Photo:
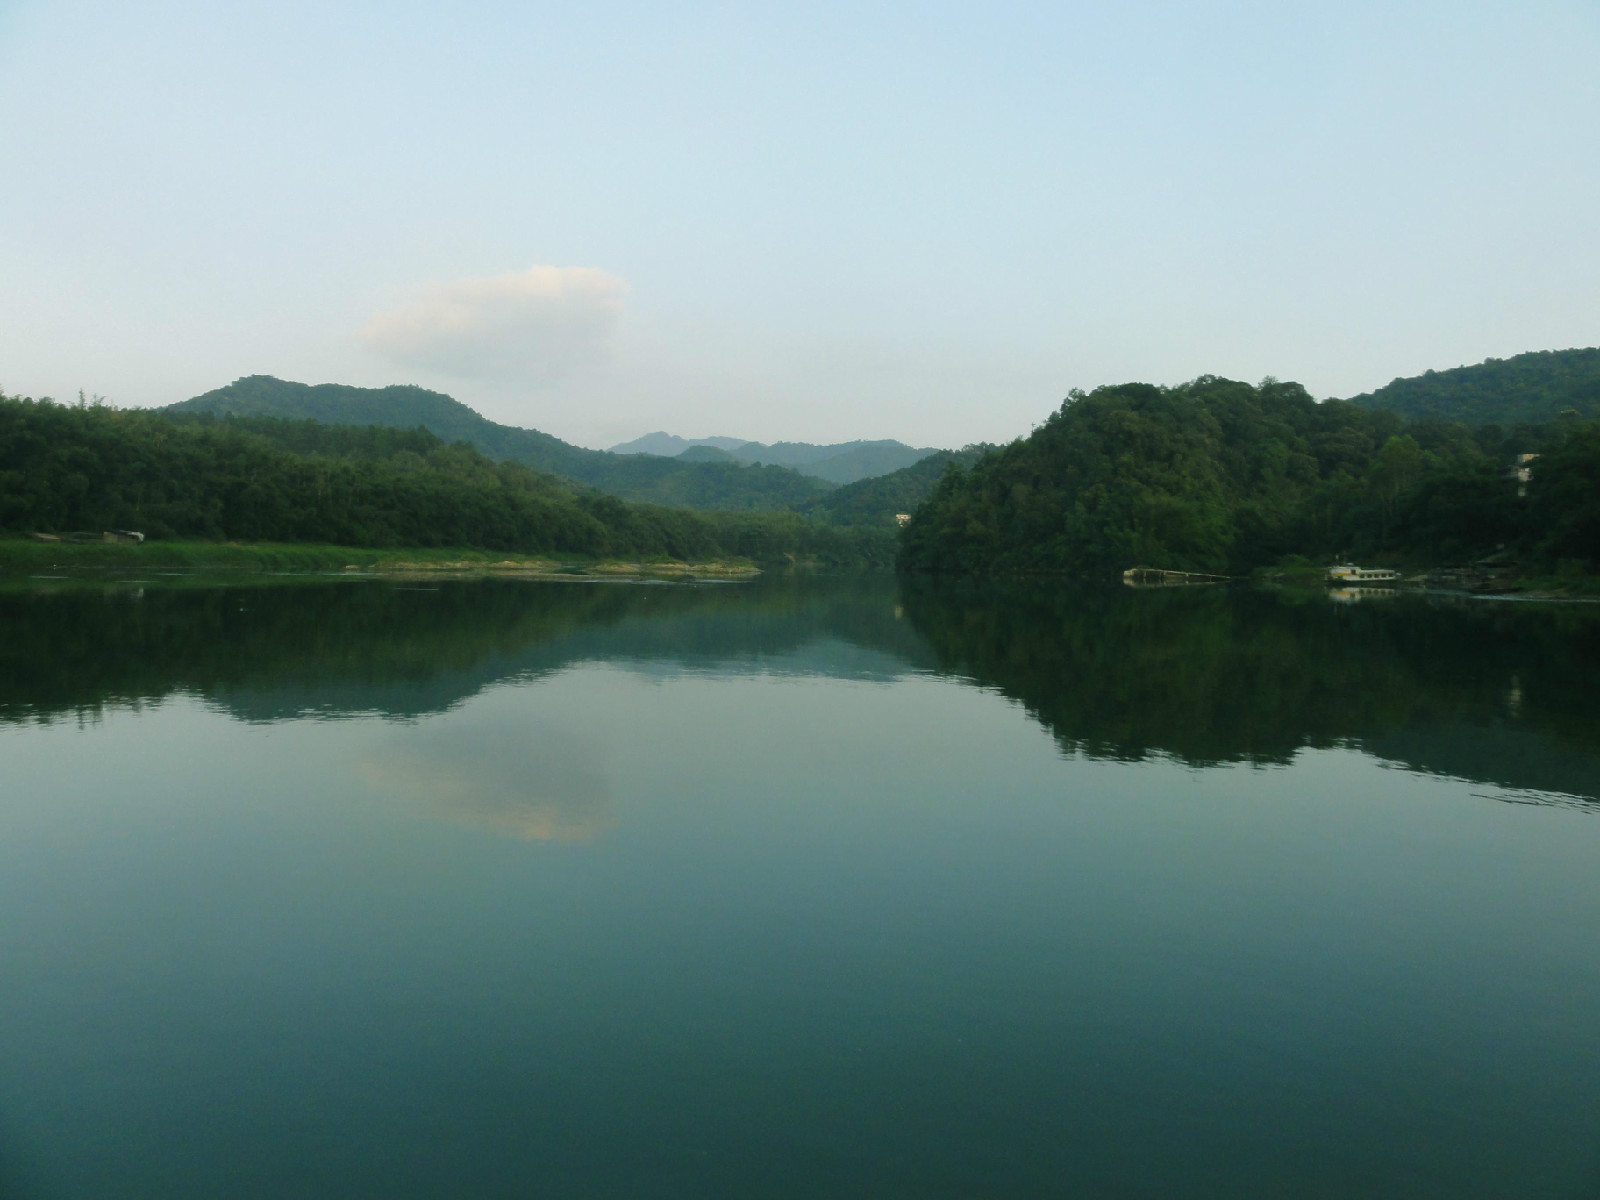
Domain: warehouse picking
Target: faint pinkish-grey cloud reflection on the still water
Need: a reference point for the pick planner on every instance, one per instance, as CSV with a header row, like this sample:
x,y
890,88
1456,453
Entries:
x,y
498,778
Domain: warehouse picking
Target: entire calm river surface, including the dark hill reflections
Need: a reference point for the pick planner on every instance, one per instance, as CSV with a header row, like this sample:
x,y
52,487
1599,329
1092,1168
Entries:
x,y
796,889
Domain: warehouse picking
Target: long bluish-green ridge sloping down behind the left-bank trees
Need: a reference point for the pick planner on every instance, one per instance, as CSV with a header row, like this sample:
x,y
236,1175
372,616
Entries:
x,y
652,481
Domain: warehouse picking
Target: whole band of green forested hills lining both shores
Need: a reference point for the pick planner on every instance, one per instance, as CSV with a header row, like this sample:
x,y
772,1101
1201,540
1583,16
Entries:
x,y
1212,476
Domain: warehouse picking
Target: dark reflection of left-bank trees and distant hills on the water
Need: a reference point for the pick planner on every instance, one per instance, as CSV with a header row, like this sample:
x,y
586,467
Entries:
x,y
346,649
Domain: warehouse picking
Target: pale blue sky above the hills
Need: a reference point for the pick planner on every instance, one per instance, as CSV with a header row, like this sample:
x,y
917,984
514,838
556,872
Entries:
x,y
814,222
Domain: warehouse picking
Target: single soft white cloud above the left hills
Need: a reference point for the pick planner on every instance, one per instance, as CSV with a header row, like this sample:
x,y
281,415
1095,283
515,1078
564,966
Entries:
x,y
532,326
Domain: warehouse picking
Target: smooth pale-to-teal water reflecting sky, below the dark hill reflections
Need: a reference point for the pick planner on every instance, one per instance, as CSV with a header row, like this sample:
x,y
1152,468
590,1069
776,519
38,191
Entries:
x,y
820,927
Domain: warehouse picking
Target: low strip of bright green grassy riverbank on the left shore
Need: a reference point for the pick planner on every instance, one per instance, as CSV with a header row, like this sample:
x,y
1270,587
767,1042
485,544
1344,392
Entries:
x,y
23,558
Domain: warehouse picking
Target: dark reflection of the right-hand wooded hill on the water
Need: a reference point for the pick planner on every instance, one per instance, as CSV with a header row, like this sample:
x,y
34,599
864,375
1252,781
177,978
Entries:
x,y
1495,694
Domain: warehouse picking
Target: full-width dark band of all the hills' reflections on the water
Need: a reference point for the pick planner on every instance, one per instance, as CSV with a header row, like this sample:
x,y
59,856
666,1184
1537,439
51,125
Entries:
x,y
1494,694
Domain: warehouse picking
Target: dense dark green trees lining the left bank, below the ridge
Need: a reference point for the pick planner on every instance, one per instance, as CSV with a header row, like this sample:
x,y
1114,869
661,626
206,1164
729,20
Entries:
x,y
273,479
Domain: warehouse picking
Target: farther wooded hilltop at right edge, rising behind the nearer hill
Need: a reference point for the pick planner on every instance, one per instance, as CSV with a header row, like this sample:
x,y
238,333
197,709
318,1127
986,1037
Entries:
x,y
1526,390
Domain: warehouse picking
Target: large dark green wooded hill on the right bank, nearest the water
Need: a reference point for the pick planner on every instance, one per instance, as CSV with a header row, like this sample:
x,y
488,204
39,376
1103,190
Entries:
x,y
1218,476
